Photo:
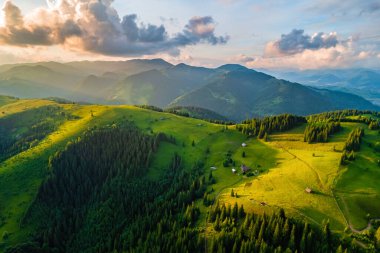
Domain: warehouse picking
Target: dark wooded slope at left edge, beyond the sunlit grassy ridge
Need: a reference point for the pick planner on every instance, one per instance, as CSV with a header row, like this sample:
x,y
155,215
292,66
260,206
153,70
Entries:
x,y
23,130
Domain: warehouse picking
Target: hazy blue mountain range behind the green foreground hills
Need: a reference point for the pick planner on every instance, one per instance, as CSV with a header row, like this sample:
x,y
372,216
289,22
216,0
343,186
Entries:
x,y
231,90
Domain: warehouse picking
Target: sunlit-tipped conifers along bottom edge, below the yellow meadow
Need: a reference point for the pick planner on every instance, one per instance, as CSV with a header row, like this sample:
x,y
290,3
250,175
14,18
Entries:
x,y
239,232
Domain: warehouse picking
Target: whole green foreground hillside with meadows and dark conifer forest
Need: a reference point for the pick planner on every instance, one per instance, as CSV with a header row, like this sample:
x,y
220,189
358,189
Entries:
x,y
192,158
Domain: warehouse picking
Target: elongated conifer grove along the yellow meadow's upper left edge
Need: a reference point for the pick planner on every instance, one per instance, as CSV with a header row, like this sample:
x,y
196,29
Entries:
x,y
268,125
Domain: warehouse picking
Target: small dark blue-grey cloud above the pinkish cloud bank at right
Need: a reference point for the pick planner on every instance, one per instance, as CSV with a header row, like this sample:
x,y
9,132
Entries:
x,y
297,41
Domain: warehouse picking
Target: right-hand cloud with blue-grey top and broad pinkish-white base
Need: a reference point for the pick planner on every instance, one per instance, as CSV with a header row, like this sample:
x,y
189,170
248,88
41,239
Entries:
x,y
297,50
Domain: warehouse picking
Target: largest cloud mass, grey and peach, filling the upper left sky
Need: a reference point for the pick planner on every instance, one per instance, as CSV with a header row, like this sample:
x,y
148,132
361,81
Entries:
x,y
95,26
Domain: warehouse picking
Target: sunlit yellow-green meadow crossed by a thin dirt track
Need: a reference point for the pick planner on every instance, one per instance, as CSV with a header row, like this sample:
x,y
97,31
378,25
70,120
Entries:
x,y
295,165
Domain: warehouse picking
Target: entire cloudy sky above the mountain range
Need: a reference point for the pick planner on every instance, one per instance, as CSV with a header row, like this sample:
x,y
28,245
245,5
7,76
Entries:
x,y
267,34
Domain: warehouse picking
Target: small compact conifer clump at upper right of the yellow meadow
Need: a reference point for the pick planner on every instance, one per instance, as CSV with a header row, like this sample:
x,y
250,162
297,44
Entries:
x,y
320,131
